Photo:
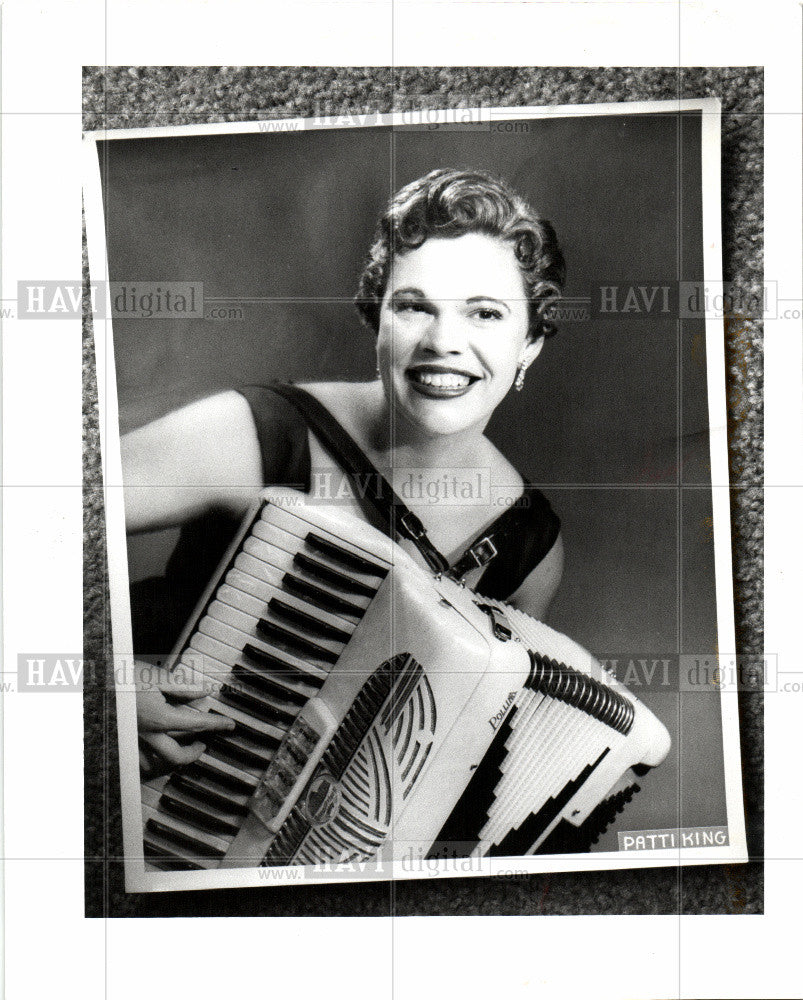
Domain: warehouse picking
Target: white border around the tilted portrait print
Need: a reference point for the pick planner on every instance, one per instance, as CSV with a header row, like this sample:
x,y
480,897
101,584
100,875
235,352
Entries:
x,y
139,880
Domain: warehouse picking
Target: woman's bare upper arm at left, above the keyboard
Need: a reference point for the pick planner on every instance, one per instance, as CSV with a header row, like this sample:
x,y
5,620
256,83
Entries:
x,y
202,456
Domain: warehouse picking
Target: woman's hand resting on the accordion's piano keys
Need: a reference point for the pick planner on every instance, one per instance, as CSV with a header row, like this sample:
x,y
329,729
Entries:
x,y
160,722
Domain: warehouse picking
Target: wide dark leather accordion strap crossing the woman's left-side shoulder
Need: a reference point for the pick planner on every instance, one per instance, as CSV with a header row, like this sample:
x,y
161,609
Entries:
x,y
395,515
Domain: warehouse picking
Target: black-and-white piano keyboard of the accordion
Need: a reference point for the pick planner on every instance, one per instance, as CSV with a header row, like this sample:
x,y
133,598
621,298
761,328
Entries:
x,y
286,607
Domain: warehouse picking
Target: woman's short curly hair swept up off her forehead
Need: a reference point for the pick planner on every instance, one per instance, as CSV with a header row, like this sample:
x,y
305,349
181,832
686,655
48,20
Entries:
x,y
449,203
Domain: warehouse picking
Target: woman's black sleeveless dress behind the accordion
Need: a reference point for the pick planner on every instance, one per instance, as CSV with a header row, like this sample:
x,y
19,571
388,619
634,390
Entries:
x,y
161,606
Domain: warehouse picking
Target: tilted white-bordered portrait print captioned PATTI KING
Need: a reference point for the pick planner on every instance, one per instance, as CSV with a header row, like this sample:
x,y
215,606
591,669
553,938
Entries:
x,y
416,491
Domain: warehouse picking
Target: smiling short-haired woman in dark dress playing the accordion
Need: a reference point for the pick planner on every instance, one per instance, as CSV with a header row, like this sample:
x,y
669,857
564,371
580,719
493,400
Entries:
x,y
459,288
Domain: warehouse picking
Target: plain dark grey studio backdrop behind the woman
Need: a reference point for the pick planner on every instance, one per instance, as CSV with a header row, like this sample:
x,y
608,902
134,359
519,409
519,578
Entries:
x,y
612,421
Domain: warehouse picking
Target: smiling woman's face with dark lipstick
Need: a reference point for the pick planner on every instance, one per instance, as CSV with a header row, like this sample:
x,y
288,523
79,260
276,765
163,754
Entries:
x,y
452,332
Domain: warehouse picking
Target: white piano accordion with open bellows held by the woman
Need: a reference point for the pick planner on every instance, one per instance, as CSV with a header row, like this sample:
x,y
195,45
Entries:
x,y
380,709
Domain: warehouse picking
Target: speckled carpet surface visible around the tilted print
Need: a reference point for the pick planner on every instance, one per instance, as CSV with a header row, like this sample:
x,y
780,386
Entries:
x,y
116,97
